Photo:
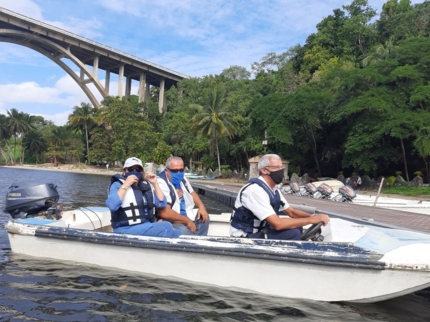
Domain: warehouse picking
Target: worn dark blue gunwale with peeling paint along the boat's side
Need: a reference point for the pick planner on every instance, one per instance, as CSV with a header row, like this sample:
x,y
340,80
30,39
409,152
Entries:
x,y
287,251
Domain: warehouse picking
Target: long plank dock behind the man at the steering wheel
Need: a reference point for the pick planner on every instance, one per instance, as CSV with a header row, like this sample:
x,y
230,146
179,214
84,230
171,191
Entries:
x,y
226,193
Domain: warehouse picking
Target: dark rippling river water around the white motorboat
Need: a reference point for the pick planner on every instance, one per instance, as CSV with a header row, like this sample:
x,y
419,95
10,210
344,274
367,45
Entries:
x,y
41,290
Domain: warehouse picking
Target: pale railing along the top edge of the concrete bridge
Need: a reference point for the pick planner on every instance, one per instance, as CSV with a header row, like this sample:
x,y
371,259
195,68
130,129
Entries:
x,y
93,42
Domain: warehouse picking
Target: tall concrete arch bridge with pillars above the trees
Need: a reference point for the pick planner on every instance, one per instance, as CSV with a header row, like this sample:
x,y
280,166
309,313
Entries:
x,y
58,44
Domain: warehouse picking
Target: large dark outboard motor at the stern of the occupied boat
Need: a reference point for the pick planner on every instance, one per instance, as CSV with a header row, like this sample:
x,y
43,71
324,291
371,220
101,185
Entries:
x,y
30,198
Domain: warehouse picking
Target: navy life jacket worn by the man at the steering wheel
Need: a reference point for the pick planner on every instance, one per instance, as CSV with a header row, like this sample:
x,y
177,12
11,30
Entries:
x,y
243,218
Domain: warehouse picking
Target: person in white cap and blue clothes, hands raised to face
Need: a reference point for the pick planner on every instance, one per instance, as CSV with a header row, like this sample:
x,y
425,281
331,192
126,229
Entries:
x,y
132,202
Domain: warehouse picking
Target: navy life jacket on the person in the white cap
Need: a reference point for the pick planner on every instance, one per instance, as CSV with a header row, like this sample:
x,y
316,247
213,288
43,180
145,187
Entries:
x,y
140,208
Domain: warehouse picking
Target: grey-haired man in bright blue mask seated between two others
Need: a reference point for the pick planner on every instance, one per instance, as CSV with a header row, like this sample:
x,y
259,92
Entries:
x,y
181,199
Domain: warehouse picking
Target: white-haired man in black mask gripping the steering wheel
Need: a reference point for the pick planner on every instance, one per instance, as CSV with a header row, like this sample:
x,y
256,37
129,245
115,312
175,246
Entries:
x,y
255,213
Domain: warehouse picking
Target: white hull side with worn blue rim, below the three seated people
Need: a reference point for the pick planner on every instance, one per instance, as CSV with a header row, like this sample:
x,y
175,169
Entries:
x,y
302,270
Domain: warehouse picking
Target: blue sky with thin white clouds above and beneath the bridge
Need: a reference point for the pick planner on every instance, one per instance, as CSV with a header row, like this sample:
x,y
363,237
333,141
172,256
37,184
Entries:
x,y
193,37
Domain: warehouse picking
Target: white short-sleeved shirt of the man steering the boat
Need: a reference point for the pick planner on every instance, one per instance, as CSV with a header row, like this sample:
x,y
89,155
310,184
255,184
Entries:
x,y
257,200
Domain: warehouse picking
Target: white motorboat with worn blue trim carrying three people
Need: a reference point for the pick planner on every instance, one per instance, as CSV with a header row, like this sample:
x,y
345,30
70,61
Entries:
x,y
355,262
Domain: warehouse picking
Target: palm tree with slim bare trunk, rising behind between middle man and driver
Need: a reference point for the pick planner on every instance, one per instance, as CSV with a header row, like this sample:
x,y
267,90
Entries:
x,y
214,118
